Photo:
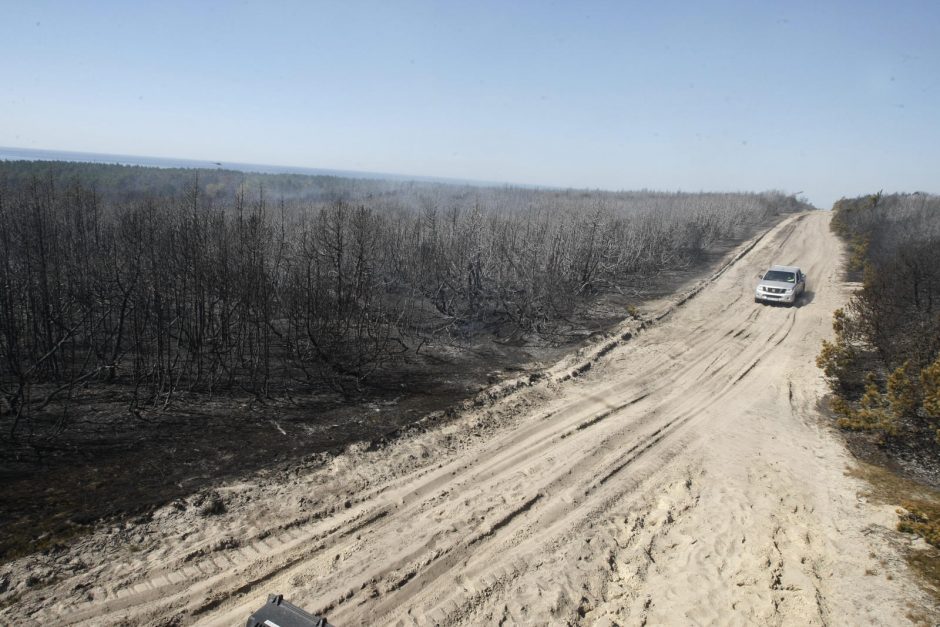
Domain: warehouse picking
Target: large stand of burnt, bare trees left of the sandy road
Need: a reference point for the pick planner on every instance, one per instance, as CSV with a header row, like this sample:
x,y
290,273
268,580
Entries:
x,y
160,281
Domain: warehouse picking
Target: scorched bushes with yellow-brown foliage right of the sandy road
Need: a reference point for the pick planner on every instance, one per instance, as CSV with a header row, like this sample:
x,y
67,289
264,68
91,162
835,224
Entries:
x,y
884,364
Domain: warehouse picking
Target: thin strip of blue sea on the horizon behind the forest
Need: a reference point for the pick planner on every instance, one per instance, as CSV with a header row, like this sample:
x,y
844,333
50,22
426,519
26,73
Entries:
x,y
30,154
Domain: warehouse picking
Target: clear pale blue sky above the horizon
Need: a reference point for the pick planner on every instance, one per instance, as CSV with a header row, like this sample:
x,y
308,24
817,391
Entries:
x,y
827,98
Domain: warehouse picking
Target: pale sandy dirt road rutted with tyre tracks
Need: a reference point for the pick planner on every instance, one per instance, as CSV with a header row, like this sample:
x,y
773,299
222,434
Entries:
x,y
677,472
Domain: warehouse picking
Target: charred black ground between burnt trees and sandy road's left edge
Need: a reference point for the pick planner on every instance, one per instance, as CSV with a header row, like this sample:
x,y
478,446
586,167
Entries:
x,y
119,466
